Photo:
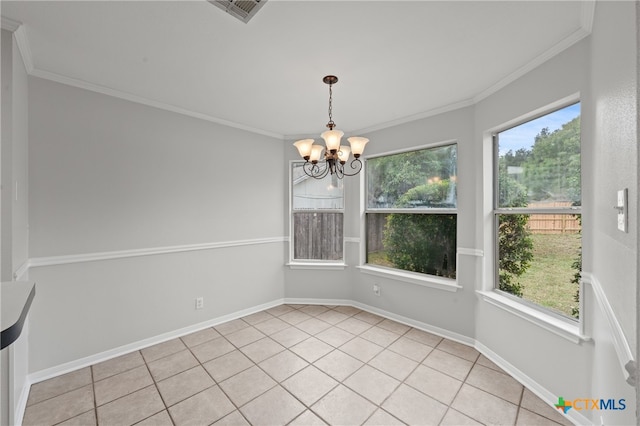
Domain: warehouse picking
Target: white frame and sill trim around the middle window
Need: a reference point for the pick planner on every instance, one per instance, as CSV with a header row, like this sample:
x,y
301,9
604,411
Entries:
x,y
417,278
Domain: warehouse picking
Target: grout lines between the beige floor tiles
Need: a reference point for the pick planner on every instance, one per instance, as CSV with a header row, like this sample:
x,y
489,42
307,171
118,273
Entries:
x,y
317,314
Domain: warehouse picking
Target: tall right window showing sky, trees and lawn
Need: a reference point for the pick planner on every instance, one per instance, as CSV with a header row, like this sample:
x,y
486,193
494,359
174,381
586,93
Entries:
x,y
537,211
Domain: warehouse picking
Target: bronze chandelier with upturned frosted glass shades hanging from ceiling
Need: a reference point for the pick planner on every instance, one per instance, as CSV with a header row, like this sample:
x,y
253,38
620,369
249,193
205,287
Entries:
x,y
335,155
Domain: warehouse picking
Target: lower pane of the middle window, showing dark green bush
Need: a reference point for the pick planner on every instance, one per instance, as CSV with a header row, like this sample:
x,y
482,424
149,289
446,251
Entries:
x,y
424,243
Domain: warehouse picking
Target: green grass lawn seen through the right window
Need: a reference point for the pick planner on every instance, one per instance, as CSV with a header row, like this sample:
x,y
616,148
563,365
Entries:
x,y
548,281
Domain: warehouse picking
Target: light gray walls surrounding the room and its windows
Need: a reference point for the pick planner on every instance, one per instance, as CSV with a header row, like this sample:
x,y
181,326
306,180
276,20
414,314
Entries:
x,y
107,175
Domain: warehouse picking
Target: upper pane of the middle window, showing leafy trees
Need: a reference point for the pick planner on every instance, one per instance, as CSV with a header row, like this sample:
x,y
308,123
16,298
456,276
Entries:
x,y
417,179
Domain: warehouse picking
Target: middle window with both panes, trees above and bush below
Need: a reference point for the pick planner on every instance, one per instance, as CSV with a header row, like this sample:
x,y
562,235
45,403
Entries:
x,y
411,211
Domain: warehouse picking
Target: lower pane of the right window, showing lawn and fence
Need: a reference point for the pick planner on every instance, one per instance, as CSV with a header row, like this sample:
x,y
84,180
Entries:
x,y
540,259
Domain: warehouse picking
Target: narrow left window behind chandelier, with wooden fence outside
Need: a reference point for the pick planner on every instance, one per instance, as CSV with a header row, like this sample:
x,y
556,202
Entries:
x,y
317,216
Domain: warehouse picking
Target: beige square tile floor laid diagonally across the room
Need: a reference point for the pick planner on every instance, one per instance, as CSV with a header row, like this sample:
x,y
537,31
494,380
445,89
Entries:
x,y
293,365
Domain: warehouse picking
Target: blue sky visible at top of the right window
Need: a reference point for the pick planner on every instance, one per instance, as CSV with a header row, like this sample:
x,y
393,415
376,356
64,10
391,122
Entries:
x,y
523,136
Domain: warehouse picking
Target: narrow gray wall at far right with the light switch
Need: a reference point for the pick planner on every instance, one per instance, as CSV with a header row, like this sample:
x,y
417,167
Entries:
x,y
613,255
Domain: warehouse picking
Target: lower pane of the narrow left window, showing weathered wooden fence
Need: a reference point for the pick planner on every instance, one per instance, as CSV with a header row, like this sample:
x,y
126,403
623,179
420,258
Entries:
x,y
318,236
